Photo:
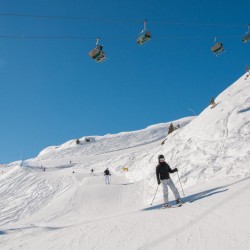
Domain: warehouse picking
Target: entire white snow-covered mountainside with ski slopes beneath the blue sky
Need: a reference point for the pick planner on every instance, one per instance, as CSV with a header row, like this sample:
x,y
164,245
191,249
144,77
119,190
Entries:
x,y
65,207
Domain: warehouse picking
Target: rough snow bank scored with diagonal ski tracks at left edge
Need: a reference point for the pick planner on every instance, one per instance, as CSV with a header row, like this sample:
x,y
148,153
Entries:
x,y
24,192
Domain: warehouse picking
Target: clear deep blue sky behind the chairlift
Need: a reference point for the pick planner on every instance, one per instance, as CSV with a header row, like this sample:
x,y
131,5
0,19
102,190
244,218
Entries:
x,y
51,91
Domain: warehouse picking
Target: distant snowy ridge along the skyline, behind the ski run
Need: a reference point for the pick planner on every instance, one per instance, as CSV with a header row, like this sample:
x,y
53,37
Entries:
x,y
110,142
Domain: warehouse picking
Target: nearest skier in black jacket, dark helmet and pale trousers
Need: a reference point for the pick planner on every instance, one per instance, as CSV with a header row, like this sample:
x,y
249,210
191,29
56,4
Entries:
x,y
162,174
